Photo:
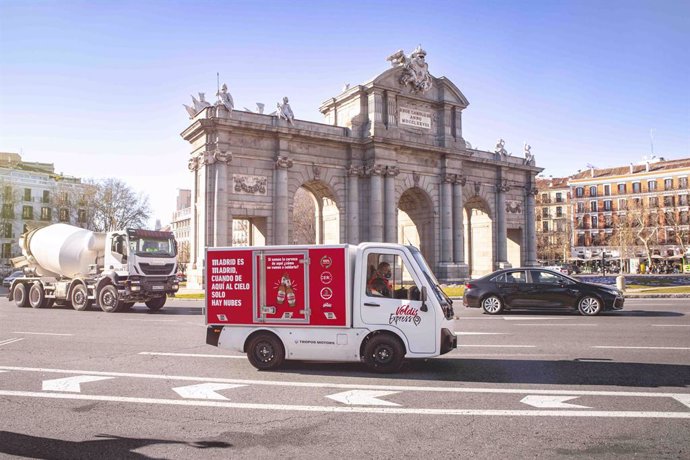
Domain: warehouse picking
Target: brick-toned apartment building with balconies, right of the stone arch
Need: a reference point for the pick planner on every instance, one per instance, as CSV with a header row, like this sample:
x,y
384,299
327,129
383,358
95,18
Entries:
x,y
632,213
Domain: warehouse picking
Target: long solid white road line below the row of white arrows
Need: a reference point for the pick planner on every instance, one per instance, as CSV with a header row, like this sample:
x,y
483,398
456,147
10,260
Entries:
x,y
353,409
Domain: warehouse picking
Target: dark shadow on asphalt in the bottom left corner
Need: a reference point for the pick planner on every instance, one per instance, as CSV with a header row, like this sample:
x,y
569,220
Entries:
x,y
108,446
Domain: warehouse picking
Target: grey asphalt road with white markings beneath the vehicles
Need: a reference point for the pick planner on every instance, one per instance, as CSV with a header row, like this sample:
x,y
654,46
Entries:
x,y
145,385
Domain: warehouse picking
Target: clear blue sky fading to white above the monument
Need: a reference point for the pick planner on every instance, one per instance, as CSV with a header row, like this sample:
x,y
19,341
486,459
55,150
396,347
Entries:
x,y
97,87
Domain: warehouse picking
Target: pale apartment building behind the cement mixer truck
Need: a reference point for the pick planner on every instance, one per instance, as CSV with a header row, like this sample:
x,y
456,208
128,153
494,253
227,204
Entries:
x,y
32,194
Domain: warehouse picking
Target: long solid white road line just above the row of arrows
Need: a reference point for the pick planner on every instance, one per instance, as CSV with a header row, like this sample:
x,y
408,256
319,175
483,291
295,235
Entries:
x,y
345,386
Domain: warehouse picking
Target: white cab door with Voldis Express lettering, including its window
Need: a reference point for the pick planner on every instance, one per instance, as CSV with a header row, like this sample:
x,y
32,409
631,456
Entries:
x,y
390,296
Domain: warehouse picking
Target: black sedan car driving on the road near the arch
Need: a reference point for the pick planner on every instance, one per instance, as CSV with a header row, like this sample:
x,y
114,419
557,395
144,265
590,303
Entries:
x,y
537,288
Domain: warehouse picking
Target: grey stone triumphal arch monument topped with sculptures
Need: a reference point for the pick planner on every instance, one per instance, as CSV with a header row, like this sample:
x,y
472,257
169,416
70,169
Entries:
x,y
396,136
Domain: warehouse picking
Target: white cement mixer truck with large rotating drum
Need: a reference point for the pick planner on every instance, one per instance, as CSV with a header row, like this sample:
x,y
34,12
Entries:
x,y
78,267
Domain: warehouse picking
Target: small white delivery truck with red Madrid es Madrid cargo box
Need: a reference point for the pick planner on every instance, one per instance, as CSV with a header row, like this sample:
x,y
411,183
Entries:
x,y
327,303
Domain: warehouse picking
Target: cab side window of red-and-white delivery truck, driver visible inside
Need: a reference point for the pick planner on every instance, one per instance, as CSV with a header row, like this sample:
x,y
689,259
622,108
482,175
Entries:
x,y
388,276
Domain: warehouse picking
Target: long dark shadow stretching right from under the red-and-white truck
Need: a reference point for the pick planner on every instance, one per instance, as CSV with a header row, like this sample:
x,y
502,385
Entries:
x,y
584,371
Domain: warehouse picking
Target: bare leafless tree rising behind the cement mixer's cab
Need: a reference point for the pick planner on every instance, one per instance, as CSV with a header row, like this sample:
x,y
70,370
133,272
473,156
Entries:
x,y
115,206
